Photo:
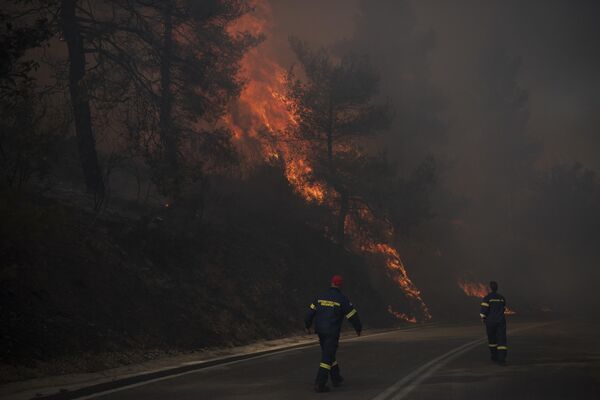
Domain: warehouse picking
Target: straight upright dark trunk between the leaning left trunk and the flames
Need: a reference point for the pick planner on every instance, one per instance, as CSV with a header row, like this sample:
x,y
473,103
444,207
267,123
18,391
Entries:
x,y
167,134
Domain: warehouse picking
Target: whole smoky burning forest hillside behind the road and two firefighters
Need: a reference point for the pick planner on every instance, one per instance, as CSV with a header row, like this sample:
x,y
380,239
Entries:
x,y
170,168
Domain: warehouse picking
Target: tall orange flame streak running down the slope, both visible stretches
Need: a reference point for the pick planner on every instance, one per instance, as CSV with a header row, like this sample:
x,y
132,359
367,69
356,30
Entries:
x,y
264,117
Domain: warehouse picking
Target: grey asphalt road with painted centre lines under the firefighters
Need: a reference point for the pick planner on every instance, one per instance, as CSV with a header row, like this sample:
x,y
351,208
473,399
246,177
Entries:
x,y
547,360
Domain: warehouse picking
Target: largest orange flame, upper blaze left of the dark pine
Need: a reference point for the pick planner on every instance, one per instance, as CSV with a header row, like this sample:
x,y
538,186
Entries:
x,y
263,111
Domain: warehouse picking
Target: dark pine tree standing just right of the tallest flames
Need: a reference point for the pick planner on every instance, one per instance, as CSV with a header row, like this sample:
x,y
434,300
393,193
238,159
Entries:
x,y
335,108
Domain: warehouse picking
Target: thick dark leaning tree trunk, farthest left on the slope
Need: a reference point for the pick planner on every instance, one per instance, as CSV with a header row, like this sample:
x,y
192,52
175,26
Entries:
x,y
80,101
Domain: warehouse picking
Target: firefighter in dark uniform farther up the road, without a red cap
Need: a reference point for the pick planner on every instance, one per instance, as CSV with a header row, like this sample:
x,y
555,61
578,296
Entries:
x,y
492,313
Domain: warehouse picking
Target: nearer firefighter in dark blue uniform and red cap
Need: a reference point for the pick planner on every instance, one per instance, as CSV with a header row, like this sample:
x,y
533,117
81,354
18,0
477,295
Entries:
x,y
328,312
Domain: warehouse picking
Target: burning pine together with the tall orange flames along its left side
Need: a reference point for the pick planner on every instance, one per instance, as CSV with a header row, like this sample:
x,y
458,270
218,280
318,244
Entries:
x,y
315,123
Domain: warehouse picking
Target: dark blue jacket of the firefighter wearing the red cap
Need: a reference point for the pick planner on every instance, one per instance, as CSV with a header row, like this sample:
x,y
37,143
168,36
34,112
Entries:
x,y
329,311
